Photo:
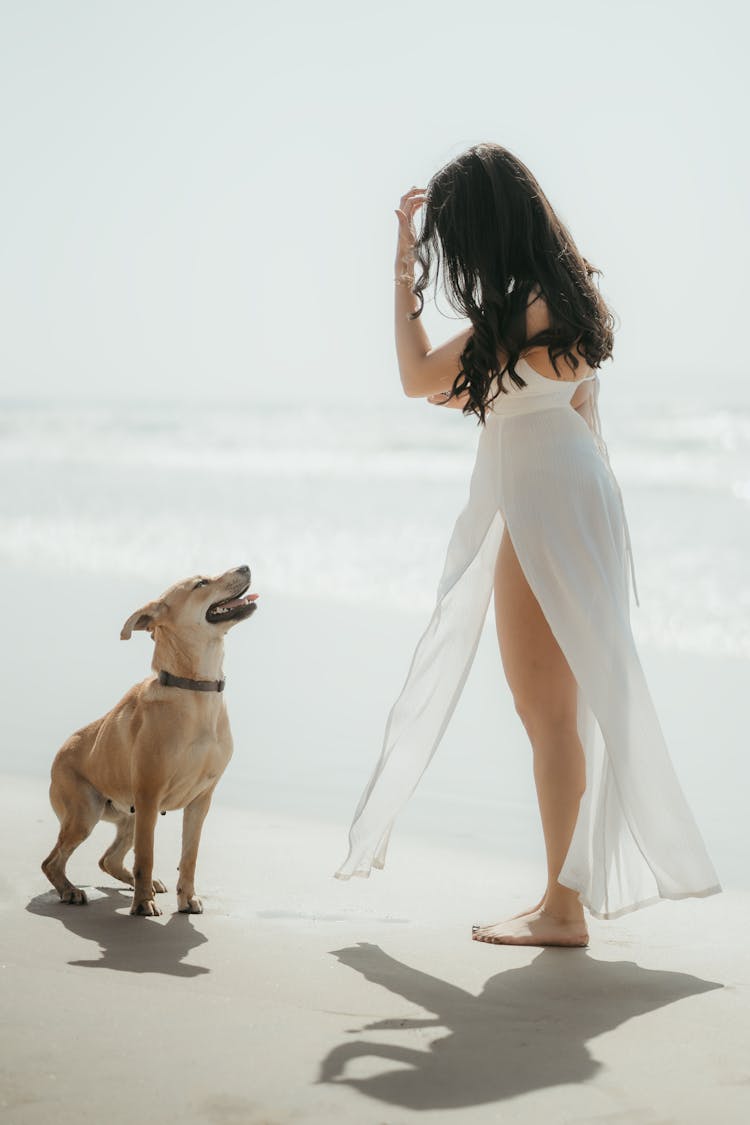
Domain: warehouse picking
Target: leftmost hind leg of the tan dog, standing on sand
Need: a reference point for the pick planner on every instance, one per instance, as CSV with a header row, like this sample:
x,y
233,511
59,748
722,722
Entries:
x,y
79,807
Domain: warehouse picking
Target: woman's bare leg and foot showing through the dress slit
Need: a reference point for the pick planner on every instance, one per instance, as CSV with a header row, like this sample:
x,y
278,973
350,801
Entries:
x,y
546,697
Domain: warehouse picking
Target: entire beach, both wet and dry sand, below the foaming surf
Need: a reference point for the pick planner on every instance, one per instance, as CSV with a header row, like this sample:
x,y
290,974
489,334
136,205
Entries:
x,y
299,998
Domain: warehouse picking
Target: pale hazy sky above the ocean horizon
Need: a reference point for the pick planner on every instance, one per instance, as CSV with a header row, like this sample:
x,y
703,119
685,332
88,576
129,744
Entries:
x,y
198,199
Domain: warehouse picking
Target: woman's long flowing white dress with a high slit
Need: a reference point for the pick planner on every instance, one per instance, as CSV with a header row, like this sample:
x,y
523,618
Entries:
x,y
544,472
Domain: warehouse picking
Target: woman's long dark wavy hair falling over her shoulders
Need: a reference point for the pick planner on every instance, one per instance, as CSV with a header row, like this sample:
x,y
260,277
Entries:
x,y
492,229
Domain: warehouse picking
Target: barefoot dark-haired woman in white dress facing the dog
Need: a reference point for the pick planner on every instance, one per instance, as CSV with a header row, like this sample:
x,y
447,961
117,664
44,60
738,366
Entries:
x,y
546,529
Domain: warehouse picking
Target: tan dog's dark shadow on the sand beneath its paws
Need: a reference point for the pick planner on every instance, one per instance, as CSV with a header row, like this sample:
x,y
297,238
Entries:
x,y
129,946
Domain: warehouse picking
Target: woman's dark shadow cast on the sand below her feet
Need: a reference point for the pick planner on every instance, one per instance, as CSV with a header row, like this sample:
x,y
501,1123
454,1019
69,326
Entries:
x,y
528,1030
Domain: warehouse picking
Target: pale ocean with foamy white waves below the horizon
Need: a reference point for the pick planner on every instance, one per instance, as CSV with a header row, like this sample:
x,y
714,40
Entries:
x,y
357,505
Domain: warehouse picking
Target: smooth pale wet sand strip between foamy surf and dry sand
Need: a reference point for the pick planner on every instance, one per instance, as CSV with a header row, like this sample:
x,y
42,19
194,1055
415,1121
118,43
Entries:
x,y
310,687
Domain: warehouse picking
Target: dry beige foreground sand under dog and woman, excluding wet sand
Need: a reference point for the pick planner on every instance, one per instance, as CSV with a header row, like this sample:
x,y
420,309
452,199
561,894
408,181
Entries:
x,y
296,998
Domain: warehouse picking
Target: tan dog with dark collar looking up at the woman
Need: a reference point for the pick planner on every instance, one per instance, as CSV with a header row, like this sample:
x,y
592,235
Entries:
x,y
164,746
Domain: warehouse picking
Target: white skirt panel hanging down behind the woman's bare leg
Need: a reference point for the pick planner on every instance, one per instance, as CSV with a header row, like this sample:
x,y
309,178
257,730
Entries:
x,y
635,841
